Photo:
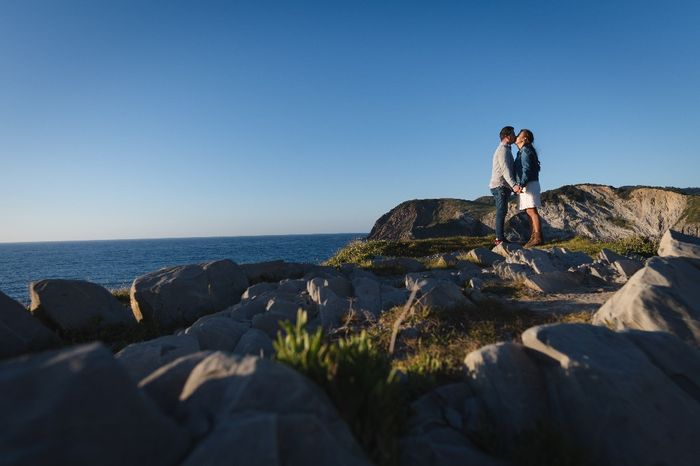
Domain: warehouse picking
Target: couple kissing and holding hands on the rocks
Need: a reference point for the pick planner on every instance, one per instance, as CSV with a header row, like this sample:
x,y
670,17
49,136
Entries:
x,y
520,177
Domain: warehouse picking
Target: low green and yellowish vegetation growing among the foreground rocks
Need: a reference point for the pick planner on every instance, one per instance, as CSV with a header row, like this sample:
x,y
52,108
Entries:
x,y
372,388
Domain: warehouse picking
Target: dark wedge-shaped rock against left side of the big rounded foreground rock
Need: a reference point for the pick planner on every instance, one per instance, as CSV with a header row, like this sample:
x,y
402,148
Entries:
x,y
164,385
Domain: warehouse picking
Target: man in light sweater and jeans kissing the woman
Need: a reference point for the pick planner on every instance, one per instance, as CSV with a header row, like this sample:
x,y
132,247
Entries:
x,y
502,180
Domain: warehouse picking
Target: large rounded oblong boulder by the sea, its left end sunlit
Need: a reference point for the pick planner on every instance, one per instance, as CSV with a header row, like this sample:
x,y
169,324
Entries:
x,y
181,294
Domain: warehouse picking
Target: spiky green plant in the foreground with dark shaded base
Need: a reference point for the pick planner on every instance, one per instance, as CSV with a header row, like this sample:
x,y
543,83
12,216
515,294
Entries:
x,y
358,379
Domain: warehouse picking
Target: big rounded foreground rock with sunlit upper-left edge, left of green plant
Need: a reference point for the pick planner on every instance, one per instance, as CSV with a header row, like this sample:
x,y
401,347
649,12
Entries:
x,y
277,413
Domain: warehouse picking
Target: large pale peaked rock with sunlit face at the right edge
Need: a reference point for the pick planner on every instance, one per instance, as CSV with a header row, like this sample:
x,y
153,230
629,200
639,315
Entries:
x,y
663,296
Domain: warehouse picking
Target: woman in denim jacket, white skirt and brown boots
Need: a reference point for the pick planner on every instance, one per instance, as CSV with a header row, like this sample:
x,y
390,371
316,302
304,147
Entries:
x,y
527,170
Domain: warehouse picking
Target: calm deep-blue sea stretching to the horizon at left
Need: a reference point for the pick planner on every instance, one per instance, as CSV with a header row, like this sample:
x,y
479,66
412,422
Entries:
x,y
115,264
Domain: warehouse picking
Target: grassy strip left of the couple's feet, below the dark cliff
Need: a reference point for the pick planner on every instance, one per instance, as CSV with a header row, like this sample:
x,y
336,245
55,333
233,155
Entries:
x,y
362,252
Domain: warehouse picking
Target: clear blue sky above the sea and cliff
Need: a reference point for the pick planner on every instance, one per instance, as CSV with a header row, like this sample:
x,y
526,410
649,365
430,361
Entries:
x,y
135,119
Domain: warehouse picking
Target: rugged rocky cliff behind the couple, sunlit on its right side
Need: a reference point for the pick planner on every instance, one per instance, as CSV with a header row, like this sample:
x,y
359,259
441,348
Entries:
x,y
594,211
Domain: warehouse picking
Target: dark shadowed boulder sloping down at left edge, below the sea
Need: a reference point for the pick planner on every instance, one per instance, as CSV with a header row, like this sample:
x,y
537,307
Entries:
x,y
20,332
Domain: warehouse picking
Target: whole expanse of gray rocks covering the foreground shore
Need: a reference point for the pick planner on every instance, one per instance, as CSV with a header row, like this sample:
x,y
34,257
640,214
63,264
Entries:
x,y
625,390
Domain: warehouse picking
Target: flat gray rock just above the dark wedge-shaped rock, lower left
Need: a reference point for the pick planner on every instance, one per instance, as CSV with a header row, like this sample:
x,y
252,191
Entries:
x,y
141,359
